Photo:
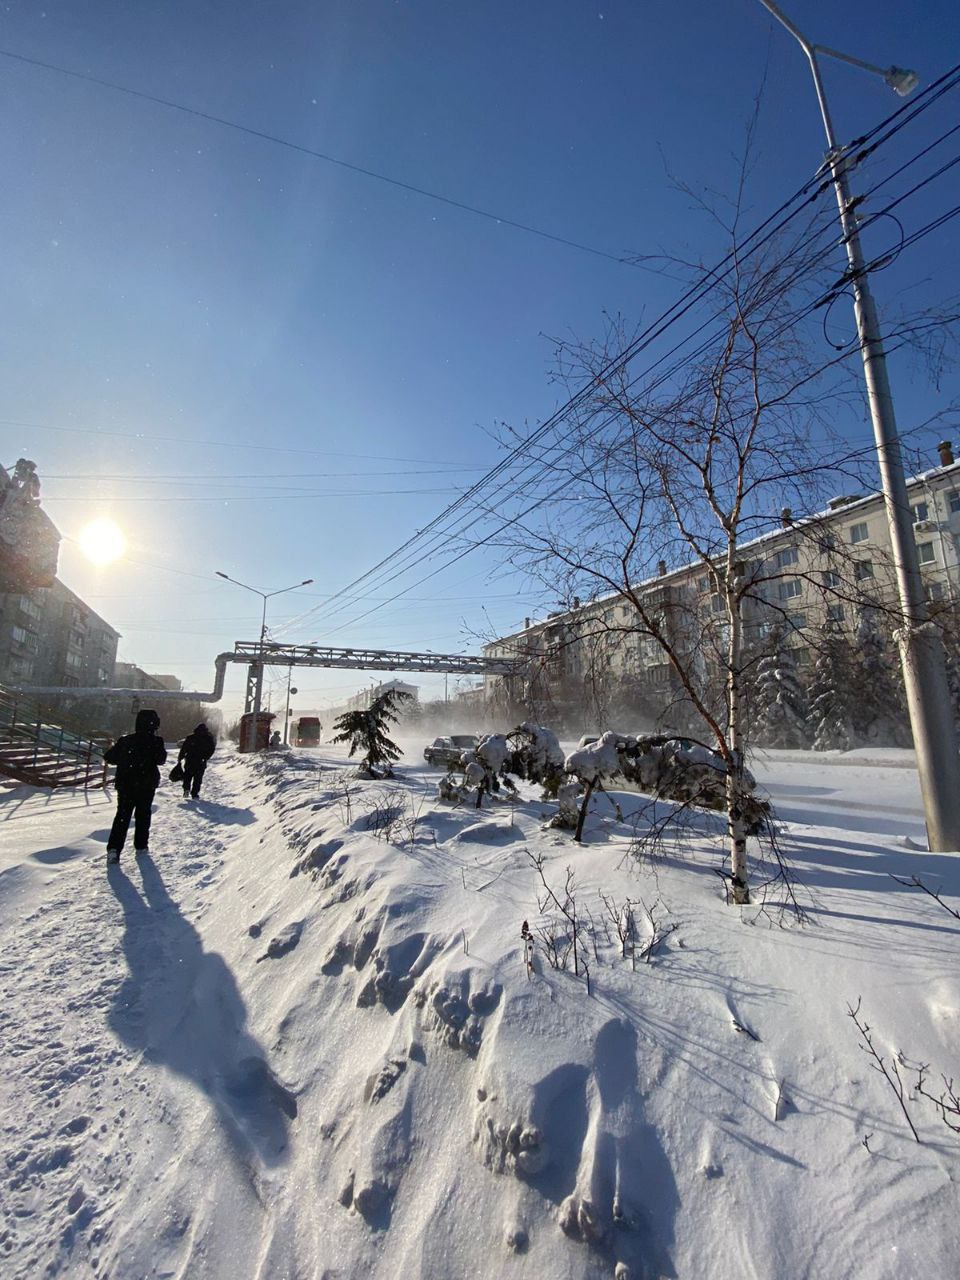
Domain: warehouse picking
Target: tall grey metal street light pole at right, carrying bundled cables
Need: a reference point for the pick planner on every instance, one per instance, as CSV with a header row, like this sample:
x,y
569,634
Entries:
x,y
921,647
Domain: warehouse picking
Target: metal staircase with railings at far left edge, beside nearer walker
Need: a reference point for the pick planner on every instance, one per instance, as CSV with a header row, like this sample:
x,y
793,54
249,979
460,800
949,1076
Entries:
x,y
48,753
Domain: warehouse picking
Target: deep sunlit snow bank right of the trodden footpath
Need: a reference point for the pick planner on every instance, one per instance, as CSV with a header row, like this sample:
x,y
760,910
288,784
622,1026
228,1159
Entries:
x,y
702,1116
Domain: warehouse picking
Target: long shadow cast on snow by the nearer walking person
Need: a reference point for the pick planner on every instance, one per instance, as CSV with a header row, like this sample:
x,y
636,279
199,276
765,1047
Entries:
x,y
181,1008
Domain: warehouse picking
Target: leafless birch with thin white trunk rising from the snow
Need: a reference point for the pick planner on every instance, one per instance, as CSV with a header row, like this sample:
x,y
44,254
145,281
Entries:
x,y
693,468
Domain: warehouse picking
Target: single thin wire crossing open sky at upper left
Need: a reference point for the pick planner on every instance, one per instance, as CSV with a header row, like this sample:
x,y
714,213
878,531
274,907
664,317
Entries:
x,y
322,156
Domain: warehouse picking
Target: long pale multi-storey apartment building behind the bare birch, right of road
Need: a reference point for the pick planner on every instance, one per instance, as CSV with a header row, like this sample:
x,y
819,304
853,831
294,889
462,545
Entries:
x,y
824,570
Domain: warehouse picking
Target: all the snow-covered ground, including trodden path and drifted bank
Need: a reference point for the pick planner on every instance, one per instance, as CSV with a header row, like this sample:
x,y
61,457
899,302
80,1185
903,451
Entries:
x,y
301,1041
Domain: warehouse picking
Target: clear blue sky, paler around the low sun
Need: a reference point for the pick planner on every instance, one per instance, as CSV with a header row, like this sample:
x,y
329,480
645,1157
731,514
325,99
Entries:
x,y
277,335
